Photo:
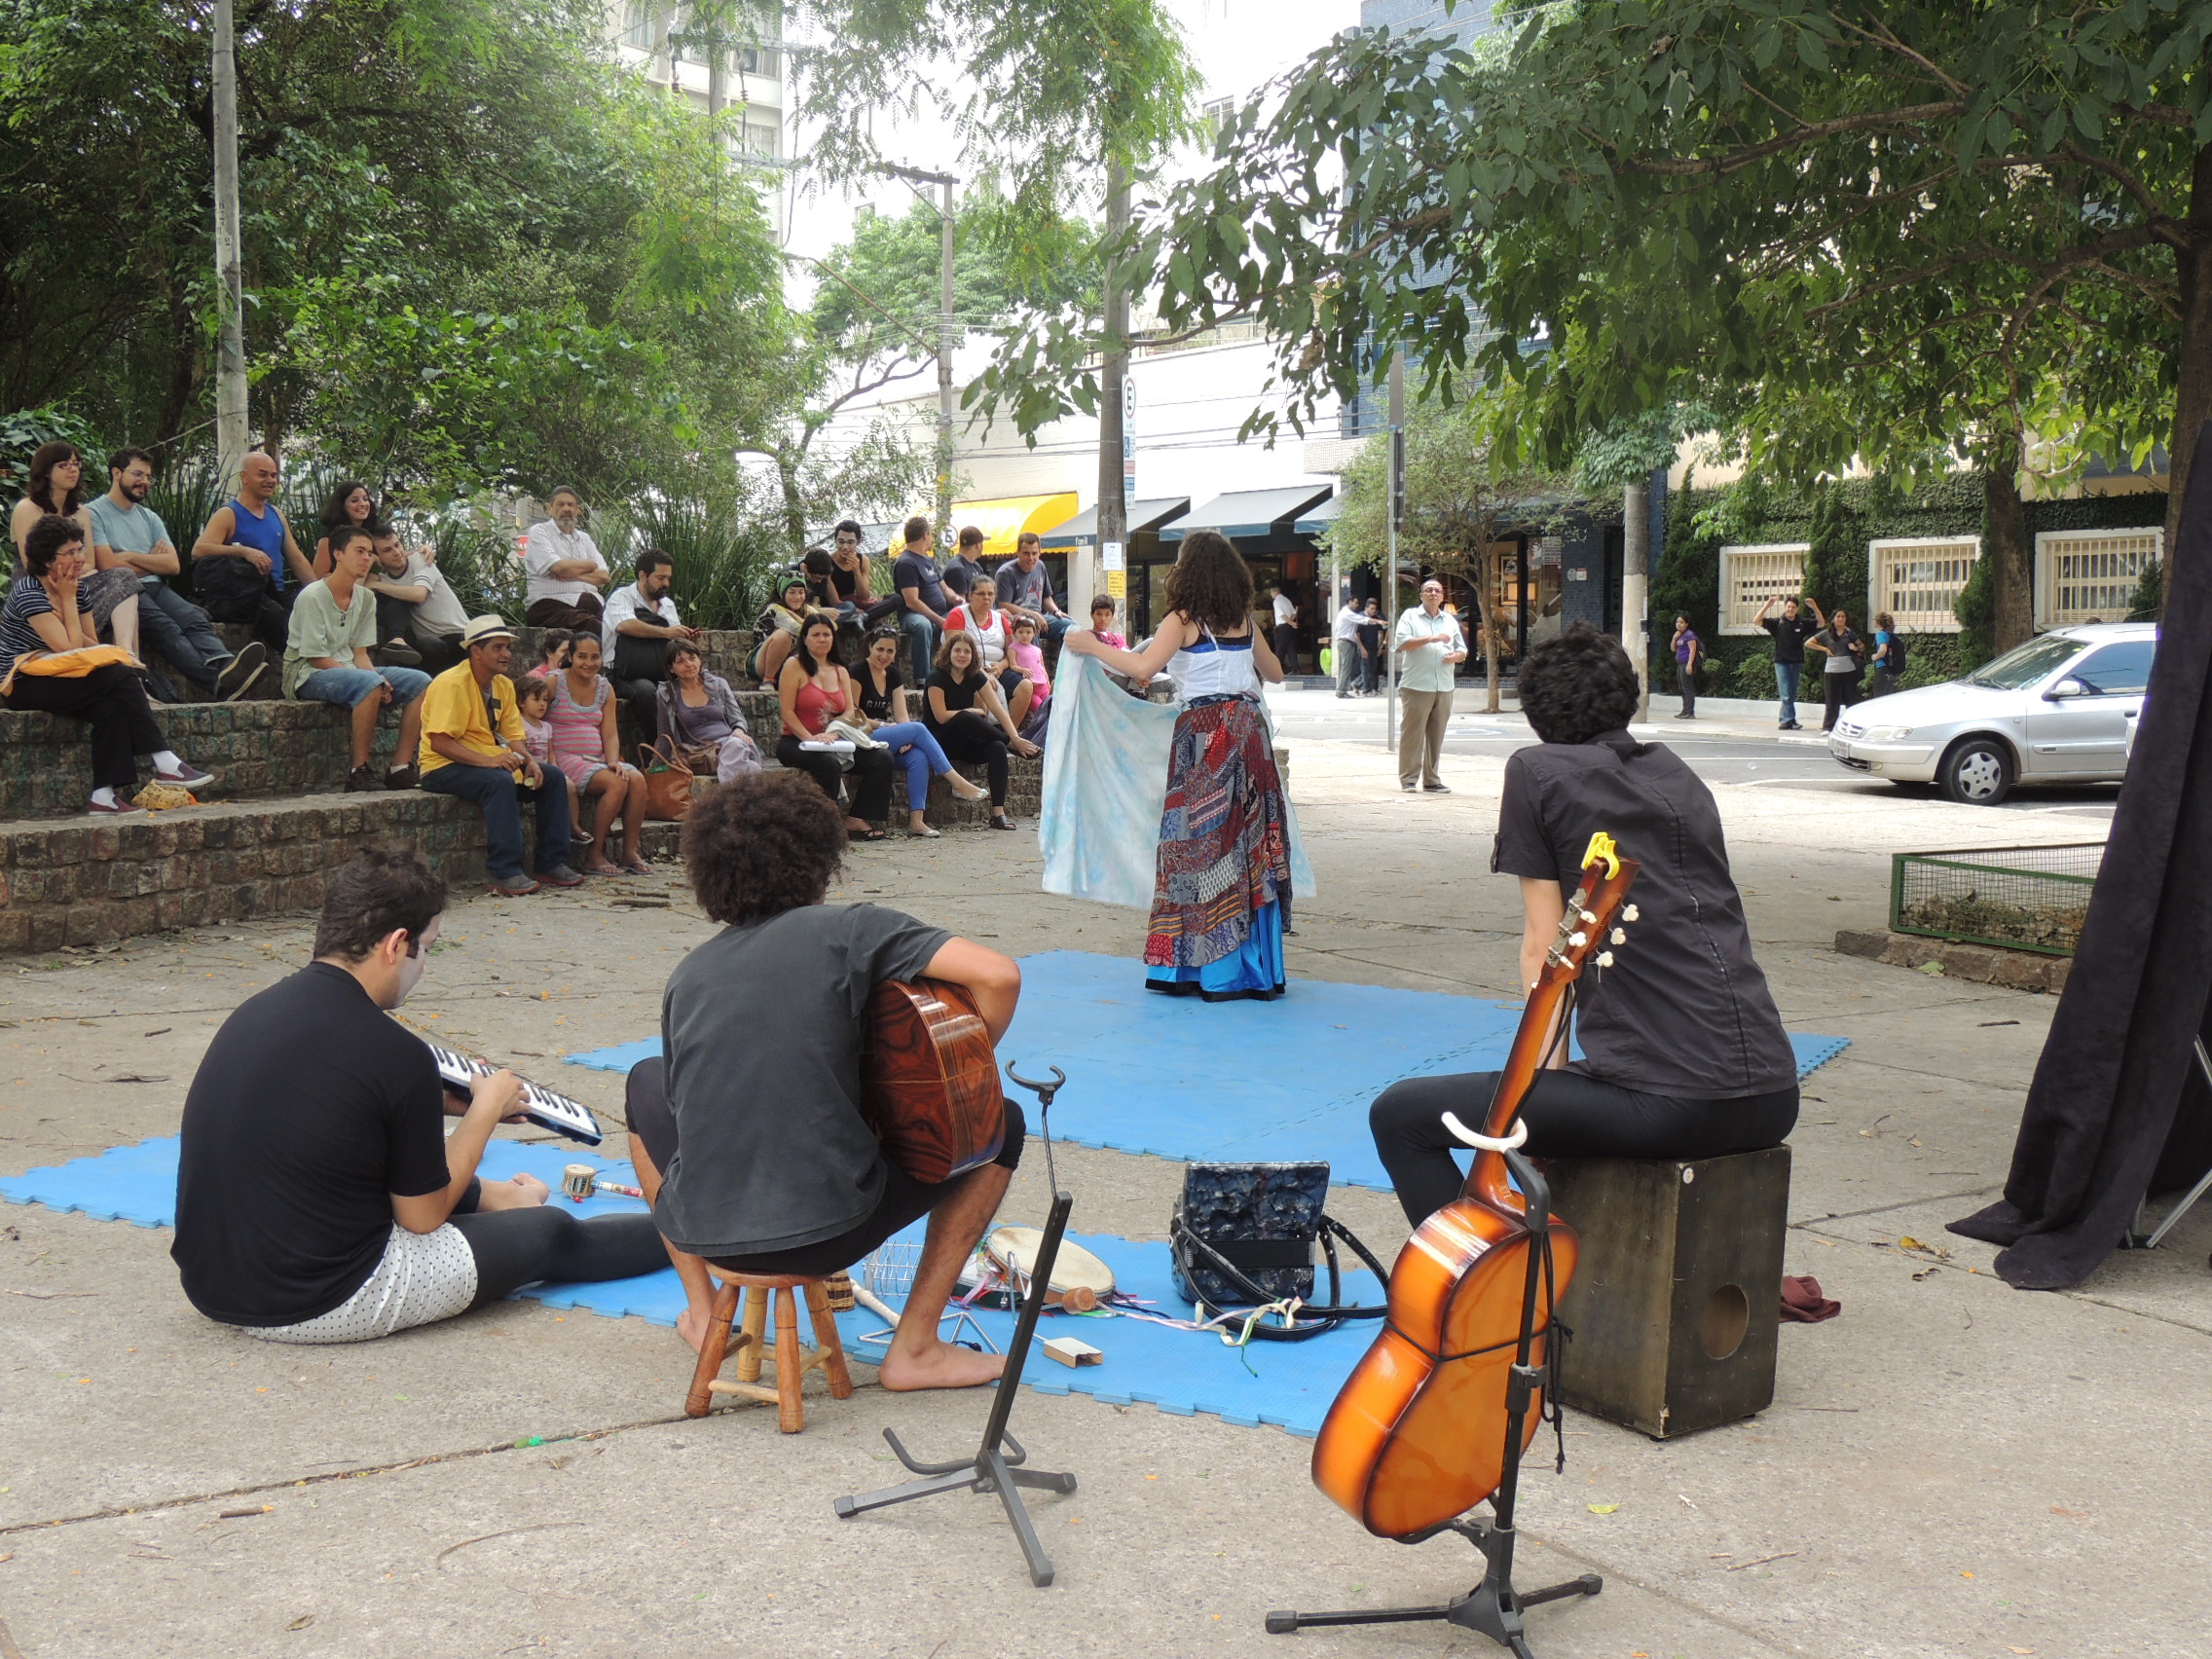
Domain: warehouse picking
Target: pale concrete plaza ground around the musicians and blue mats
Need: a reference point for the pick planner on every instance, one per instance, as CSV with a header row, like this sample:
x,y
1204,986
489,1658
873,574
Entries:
x,y
1950,1468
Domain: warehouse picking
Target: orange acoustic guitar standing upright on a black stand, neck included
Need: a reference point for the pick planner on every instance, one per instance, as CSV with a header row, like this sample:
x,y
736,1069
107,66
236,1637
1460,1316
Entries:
x,y
1419,1432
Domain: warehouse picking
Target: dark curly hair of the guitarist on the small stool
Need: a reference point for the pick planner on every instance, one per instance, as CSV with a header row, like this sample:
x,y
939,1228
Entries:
x,y
764,844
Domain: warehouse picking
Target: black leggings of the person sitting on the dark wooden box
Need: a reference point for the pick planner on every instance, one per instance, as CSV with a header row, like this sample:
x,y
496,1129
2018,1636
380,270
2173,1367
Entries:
x,y
1569,1116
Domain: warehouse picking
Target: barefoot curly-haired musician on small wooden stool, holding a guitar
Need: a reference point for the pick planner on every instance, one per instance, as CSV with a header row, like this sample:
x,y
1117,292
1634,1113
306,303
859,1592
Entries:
x,y
749,1134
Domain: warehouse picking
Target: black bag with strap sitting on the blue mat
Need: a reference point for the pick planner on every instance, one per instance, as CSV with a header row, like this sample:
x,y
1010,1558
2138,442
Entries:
x,y
1244,1238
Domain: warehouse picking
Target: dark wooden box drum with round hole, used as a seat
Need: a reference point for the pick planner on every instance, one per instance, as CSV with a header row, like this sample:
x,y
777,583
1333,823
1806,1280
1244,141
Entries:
x,y
1678,1300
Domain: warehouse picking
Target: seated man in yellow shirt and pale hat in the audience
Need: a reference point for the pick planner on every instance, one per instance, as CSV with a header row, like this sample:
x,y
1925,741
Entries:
x,y
472,747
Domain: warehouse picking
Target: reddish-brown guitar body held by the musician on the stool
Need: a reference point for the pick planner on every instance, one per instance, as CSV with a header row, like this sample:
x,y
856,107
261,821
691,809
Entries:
x,y
930,1081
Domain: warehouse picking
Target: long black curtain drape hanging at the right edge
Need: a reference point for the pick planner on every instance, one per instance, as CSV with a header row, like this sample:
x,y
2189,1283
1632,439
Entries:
x,y
2103,1112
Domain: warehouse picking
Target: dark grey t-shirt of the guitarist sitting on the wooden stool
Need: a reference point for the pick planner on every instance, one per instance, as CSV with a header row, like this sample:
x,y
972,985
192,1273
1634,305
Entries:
x,y
771,1145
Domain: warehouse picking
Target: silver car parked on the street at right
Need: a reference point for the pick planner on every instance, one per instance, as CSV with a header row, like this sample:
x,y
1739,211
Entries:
x,y
2058,709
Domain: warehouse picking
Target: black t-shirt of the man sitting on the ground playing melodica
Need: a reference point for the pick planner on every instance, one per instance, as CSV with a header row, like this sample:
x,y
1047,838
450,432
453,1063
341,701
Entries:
x,y
309,1114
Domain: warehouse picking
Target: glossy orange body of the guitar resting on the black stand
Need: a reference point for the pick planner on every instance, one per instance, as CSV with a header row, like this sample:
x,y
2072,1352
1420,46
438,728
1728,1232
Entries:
x,y
1395,1450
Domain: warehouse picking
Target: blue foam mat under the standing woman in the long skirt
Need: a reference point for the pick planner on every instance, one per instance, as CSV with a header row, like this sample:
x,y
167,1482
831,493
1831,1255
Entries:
x,y
1233,1081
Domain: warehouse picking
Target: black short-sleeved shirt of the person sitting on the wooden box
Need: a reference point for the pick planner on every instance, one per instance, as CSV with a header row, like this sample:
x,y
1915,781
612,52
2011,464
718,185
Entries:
x,y
1684,1008
